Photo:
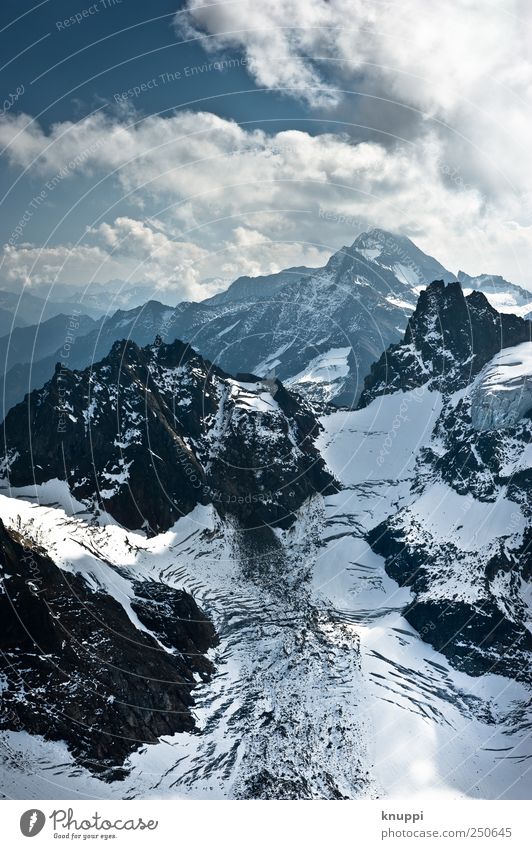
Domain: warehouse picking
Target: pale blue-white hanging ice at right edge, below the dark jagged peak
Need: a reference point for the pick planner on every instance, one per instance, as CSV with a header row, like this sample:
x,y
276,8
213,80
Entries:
x,y
502,392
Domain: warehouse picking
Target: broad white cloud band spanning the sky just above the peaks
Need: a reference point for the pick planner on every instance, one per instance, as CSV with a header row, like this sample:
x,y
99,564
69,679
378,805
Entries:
x,y
218,200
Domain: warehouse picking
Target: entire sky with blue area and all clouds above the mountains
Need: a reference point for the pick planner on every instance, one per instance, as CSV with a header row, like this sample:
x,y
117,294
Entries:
x,y
174,144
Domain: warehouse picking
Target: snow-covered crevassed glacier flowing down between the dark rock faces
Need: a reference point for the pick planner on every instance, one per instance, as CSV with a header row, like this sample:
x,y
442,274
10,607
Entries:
x,y
321,688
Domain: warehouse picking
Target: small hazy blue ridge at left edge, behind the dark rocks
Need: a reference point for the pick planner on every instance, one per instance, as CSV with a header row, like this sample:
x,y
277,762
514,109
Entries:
x,y
38,341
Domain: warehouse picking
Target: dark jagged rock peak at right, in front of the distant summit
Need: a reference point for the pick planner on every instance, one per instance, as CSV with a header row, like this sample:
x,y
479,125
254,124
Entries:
x,y
448,340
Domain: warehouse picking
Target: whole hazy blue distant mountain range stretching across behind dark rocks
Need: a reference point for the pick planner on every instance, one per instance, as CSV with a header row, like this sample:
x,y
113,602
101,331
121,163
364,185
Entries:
x,y
318,330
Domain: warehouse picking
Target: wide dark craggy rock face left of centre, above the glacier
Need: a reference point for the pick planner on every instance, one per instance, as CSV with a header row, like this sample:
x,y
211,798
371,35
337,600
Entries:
x,y
148,433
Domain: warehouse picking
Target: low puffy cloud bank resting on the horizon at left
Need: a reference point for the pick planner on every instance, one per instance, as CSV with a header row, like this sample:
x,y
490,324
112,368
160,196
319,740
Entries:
x,y
135,251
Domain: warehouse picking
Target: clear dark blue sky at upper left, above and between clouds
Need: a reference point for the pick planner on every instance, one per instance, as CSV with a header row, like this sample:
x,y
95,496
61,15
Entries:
x,y
71,71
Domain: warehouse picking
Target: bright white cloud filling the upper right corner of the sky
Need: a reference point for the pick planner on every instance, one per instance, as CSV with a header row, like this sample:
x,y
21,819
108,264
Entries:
x,y
466,65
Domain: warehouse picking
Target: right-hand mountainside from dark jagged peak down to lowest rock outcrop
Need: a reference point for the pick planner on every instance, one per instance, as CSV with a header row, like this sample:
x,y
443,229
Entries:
x,y
462,543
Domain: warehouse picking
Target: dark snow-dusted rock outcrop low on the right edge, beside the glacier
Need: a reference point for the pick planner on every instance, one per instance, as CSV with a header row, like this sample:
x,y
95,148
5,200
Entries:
x,y
466,604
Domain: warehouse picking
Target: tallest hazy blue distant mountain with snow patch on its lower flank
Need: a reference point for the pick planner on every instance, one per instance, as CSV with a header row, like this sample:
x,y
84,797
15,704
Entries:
x,y
301,323
